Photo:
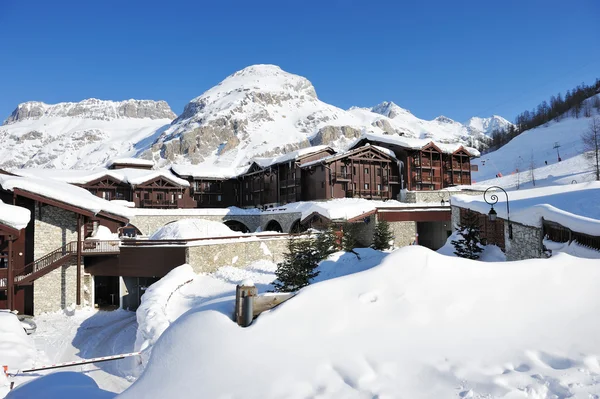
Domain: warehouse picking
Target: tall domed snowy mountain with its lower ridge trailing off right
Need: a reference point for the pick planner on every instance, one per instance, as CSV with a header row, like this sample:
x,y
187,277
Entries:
x,y
264,111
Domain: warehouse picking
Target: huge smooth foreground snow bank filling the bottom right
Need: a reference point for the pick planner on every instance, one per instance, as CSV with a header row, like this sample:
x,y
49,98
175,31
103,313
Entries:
x,y
420,325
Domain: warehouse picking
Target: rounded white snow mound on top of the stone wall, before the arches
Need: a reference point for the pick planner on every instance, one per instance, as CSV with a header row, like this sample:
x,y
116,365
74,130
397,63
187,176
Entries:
x,y
192,228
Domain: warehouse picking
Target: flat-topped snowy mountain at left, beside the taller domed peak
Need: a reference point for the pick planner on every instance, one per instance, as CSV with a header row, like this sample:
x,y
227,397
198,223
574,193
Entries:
x,y
79,135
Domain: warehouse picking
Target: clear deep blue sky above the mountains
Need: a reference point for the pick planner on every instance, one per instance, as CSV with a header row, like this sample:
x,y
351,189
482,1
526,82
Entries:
x,y
456,58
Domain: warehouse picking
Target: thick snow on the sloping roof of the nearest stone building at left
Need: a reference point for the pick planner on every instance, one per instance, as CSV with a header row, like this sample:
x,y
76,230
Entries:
x,y
62,192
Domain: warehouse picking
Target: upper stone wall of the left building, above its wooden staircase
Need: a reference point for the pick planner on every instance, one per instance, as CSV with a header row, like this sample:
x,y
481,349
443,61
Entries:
x,y
53,228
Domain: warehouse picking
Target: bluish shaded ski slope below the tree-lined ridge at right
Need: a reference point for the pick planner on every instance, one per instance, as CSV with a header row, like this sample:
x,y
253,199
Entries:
x,y
537,146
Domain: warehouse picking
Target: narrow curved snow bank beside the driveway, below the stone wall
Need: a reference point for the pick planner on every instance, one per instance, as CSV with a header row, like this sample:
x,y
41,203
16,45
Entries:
x,y
151,315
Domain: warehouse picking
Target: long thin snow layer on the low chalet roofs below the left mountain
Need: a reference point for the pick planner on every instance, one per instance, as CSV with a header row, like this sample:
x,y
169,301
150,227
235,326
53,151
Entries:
x,y
126,175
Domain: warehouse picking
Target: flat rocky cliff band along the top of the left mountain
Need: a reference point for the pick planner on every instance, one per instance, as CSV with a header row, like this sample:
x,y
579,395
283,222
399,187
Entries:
x,y
93,108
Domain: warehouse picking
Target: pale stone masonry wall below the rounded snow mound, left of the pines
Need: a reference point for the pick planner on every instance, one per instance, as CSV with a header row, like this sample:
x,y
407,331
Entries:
x,y
208,258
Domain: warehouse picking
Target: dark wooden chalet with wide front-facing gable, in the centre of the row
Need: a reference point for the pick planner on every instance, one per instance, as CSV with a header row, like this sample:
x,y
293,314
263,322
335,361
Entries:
x,y
365,172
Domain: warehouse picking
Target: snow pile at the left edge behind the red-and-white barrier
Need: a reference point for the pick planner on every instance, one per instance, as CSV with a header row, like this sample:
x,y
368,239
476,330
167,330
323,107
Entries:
x,y
17,350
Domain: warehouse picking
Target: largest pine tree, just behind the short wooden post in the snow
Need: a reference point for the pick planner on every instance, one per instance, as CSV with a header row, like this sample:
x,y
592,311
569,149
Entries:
x,y
298,266
